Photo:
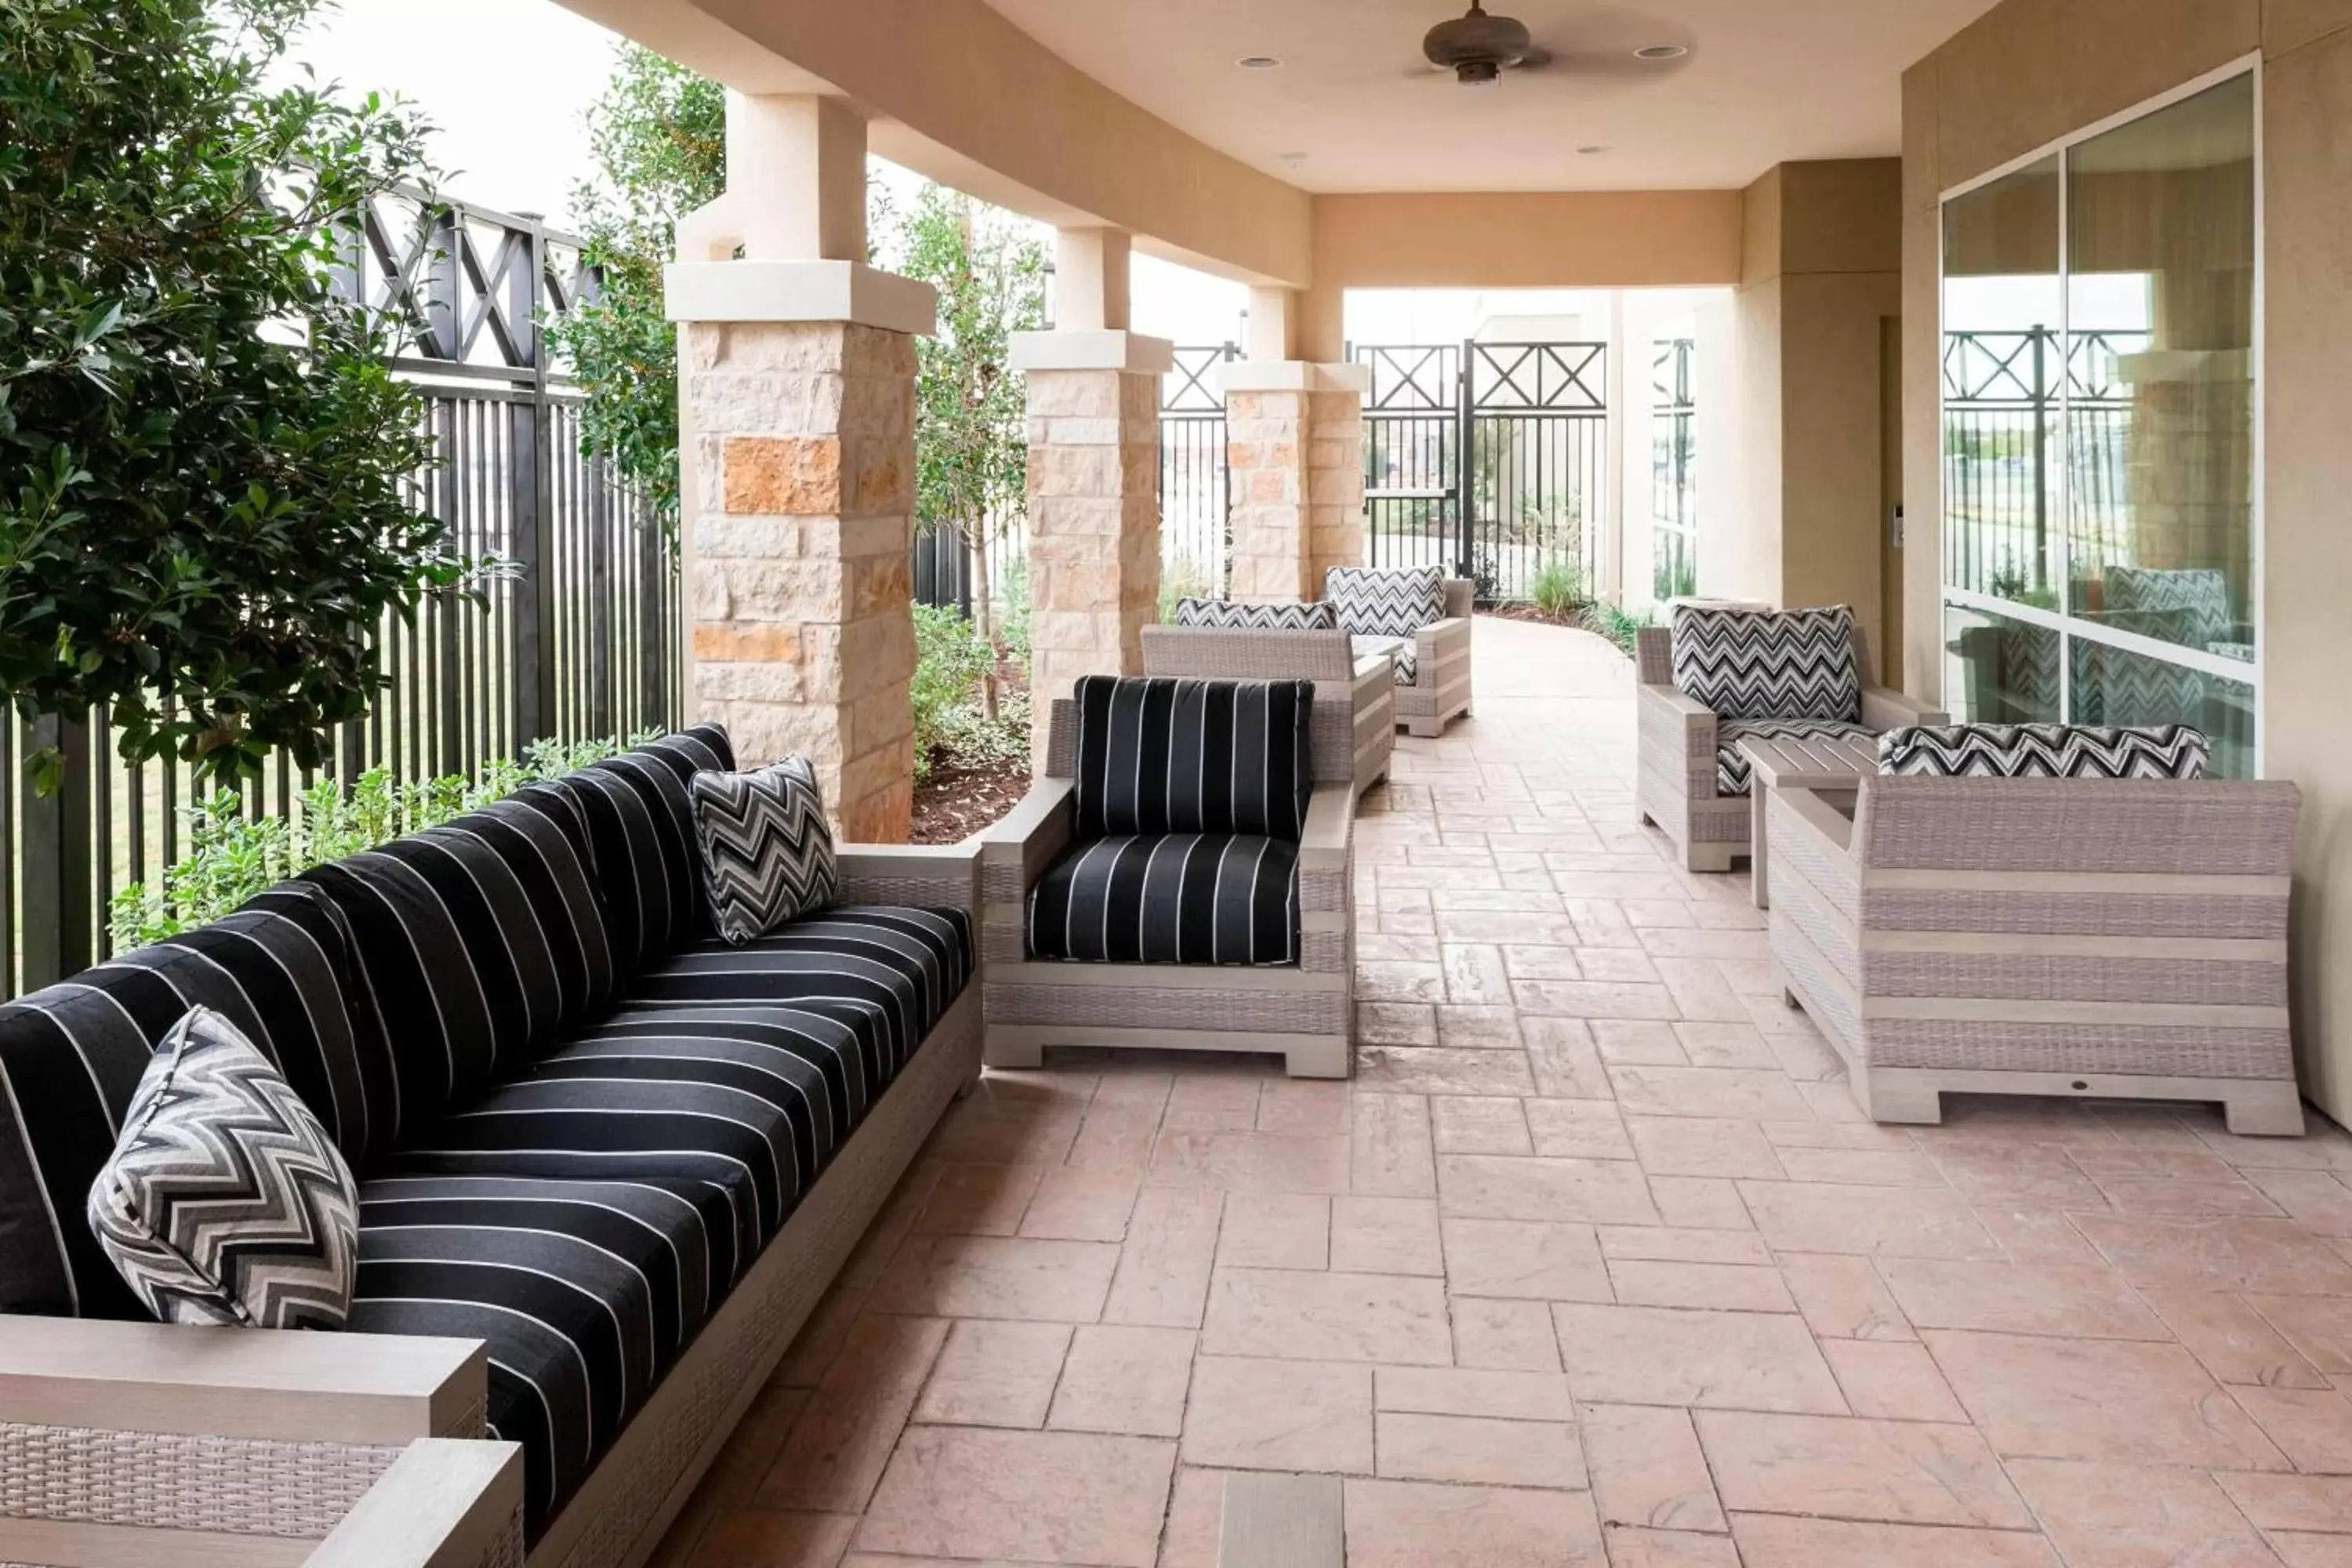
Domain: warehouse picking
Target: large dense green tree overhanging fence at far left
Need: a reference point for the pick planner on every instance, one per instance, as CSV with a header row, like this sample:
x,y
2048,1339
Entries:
x,y
206,467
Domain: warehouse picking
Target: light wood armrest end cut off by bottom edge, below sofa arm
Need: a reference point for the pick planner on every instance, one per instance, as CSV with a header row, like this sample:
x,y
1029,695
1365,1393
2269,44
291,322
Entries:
x,y
441,1506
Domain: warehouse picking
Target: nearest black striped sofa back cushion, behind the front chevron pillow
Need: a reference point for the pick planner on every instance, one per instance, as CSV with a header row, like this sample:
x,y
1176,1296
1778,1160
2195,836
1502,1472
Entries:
x,y
74,1054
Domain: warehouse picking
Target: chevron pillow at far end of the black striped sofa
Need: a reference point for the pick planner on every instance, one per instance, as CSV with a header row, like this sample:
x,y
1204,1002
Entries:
x,y
768,850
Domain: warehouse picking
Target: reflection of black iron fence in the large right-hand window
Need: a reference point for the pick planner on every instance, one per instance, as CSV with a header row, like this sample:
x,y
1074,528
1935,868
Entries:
x,y
2000,434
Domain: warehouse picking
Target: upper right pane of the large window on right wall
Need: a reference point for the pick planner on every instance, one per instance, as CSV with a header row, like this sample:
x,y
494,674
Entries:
x,y
2160,361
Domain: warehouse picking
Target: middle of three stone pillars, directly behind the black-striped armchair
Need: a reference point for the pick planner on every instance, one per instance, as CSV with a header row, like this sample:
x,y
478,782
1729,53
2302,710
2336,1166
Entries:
x,y
1093,504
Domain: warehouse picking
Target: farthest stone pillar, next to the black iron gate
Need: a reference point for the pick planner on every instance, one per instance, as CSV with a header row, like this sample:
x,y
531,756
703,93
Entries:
x,y
1297,474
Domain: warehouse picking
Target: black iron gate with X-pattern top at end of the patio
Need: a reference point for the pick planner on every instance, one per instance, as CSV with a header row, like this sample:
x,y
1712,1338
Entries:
x,y
1490,460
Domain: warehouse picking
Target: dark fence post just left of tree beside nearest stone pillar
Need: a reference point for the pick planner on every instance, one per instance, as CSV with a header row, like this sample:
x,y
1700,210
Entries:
x,y
530,481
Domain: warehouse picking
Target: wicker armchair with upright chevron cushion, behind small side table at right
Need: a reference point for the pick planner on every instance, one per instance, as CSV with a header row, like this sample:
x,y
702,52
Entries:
x,y
1690,777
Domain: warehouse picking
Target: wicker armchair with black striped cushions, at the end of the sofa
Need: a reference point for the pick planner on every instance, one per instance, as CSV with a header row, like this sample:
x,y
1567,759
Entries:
x,y
1180,880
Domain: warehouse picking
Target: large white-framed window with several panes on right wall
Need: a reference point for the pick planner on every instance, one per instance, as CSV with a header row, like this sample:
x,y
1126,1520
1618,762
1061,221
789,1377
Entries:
x,y
2099,431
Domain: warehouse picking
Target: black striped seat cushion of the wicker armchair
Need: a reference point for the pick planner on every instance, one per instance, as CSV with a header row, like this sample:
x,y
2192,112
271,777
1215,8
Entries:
x,y
1180,899
